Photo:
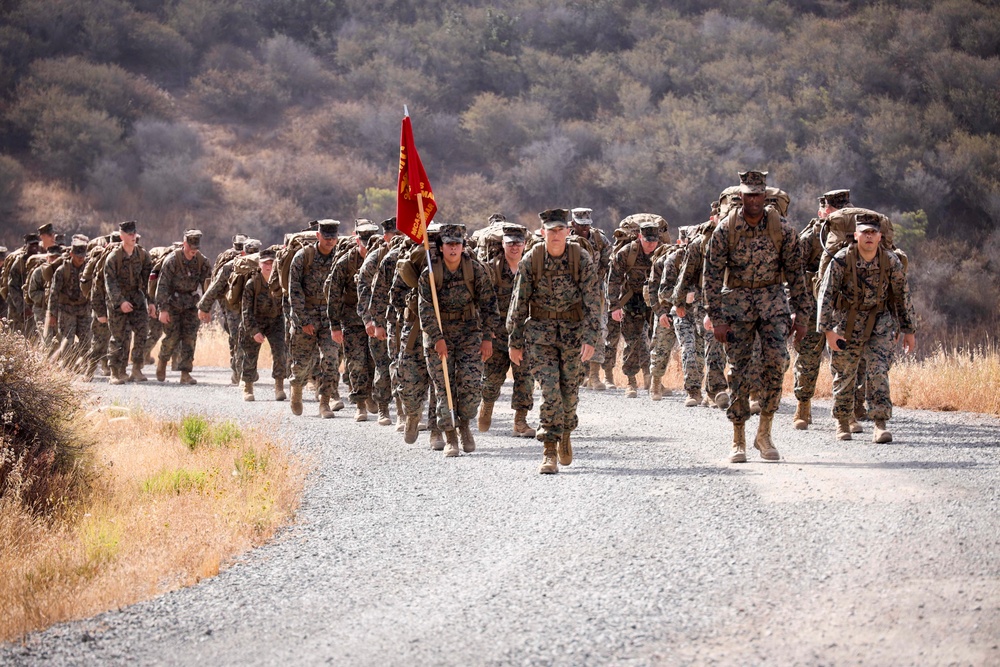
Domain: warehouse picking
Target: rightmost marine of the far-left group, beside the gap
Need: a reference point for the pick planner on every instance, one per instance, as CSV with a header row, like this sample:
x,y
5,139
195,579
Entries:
x,y
183,275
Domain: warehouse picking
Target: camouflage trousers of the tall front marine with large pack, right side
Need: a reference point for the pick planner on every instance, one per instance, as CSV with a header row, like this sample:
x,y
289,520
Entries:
x,y
774,359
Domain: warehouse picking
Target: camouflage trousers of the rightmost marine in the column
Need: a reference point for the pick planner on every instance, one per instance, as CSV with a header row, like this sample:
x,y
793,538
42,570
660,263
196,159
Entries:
x,y
875,355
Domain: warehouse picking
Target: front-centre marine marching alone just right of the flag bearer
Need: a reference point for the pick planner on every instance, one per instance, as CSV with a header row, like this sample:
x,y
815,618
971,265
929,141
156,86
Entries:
x,y
554,324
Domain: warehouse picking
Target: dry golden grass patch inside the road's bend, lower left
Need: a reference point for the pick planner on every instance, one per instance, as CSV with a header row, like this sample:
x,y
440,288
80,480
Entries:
x,y
155,515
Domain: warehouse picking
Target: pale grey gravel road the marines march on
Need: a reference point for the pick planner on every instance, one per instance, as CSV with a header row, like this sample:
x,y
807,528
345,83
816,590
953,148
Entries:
x,y
650,549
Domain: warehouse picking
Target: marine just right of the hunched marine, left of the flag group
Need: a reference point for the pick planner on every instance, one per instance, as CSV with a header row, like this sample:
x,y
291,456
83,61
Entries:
x,y
313,351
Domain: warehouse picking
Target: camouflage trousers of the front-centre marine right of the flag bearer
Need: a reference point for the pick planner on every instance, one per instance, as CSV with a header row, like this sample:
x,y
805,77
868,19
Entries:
x,y
557,367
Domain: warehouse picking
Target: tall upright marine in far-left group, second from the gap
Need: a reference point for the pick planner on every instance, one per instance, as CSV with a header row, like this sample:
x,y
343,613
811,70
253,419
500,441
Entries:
x,y
126,275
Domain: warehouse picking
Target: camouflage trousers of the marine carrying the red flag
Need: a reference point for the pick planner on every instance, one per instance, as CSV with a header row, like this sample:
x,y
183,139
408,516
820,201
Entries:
x,y
465,374
